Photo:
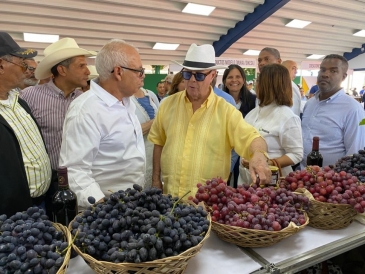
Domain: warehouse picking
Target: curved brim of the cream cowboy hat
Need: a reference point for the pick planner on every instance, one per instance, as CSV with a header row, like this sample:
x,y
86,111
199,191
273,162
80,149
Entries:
x,y
43,70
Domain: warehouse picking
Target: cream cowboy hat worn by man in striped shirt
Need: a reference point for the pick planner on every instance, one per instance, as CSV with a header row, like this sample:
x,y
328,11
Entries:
x,y
58,52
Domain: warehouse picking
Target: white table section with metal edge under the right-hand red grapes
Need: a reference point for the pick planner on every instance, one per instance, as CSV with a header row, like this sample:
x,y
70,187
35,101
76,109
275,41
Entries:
x,y
308,247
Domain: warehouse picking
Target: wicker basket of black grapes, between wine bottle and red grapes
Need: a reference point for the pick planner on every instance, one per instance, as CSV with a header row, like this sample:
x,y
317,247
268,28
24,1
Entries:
x,y
171,265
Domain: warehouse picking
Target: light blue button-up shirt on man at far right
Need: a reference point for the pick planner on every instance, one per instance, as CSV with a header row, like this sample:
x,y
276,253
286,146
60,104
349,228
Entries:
x,y
336,122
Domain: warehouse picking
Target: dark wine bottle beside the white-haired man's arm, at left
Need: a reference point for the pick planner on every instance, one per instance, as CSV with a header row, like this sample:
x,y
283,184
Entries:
x,y
64,201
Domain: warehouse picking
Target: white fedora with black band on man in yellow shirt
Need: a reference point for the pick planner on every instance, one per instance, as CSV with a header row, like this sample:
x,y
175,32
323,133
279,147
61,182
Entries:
x,y
200,58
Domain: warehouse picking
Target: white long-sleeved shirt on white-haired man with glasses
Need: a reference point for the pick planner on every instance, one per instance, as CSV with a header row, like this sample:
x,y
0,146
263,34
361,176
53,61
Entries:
x,y
102,145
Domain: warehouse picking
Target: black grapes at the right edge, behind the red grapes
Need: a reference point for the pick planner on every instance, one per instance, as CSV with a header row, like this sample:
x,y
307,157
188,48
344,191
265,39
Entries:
x,y
354,164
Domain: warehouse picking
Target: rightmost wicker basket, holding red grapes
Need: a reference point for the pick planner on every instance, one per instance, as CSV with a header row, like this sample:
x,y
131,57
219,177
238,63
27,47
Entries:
x,y
327,215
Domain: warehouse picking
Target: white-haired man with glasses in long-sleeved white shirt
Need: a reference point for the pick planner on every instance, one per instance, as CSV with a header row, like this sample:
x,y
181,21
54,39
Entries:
x,y
103,145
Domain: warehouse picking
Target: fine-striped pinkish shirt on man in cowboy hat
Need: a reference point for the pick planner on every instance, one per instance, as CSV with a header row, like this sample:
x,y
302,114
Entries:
x,y
49,106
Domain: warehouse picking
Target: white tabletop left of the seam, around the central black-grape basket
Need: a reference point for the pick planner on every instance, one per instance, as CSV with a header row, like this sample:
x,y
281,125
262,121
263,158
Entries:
x,y
215,257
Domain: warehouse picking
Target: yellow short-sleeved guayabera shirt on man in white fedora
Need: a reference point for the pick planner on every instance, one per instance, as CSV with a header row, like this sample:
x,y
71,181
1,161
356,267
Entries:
x,y
197,146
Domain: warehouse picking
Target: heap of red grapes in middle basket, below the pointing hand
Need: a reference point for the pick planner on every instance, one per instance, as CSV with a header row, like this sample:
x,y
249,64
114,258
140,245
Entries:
x,y
252,207
